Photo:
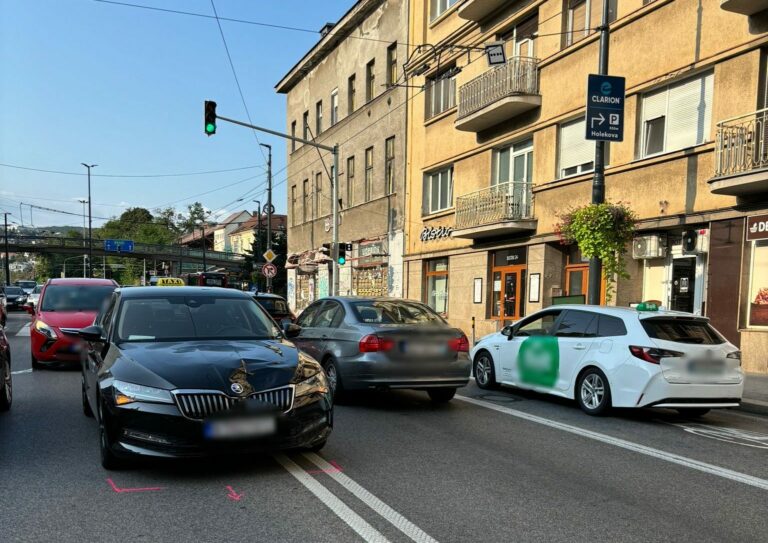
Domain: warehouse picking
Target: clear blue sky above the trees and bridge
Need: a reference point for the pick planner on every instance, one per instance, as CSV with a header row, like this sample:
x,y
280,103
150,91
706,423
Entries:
x,y
83,81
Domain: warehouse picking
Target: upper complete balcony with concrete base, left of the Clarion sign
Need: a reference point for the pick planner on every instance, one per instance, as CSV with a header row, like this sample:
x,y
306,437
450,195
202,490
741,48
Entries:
x,y
499,94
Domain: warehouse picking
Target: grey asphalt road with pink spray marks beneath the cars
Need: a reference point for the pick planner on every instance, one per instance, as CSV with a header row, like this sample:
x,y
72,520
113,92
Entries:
x,y
499,466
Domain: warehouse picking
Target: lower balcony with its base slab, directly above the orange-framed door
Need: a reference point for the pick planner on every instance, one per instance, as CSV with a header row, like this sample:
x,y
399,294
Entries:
x,y
501,209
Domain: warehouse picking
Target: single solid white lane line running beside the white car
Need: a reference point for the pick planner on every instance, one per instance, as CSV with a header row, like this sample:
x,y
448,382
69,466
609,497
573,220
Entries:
x,y
629,445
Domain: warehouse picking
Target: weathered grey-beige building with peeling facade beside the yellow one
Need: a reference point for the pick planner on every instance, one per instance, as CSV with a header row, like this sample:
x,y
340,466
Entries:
x,y
346,90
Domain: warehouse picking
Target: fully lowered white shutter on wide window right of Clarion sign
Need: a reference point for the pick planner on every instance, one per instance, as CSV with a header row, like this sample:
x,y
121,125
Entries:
x,y
689,112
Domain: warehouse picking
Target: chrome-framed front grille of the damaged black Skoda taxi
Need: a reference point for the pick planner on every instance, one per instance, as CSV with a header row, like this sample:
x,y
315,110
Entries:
x,y
199,404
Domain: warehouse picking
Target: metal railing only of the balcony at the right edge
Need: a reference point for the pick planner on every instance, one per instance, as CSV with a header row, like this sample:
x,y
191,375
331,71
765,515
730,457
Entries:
x,y
742,144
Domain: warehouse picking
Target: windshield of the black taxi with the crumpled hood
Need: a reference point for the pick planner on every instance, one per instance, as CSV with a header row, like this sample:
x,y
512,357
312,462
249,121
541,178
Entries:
x,y
178,318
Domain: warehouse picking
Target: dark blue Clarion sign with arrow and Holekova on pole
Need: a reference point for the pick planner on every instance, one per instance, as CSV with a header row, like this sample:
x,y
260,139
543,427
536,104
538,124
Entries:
x,y
605,108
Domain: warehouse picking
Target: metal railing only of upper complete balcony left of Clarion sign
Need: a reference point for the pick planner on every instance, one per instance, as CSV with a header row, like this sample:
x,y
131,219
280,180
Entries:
x,y
519,76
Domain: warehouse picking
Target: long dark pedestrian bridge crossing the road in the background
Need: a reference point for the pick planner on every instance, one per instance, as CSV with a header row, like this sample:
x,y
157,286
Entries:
x,y
172,253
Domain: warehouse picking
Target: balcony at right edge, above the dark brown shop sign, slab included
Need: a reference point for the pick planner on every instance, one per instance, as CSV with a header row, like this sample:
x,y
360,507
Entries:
x,y
741,155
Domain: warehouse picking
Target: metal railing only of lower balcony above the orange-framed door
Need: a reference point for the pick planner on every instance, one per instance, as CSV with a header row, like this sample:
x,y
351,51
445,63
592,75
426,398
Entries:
x,y
498,203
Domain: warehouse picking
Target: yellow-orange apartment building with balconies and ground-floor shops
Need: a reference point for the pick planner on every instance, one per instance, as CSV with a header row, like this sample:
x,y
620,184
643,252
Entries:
x,y
495,153
